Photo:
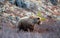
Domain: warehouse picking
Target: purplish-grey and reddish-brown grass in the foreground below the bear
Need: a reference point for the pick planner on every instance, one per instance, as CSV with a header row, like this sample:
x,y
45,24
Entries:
x,y
7,32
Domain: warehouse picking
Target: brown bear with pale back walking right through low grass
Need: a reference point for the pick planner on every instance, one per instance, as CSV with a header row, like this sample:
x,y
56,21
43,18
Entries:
x,y
28,23
